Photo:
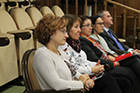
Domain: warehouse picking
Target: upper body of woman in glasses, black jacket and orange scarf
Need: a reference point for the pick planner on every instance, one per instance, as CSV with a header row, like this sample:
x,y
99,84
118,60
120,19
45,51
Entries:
x,y
86,30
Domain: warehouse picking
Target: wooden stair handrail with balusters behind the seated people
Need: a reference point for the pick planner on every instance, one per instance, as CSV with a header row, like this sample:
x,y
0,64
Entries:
x,y
136,11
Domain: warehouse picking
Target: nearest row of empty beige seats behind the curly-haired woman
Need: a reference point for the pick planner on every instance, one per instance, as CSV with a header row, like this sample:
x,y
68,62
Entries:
x,y
16,37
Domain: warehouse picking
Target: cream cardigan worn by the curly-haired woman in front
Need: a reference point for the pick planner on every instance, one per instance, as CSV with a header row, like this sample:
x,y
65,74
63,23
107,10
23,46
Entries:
x,y
52,72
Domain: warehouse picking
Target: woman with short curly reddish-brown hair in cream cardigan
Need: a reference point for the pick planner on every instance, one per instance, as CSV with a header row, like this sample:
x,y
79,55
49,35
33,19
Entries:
x,y
49,64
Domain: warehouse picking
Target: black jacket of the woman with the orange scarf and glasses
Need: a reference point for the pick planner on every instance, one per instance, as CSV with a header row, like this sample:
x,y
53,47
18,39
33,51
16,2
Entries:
x,y
93,53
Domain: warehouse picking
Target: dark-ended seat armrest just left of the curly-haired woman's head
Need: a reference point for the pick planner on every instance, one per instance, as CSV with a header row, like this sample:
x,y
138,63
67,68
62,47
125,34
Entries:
x,y
21,34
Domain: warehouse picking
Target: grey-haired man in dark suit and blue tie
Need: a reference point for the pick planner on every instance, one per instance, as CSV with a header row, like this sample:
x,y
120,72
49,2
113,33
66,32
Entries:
x,y
110,37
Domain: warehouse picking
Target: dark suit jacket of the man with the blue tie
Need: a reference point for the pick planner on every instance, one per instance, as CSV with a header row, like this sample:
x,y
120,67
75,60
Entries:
x,y
111,43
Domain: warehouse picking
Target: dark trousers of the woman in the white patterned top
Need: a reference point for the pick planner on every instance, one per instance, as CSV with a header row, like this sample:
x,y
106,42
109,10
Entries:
x,y
109,84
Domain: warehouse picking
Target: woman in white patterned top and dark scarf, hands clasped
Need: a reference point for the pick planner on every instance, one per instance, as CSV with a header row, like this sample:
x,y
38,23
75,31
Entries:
x,y
77,58
